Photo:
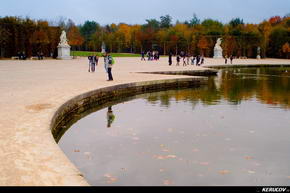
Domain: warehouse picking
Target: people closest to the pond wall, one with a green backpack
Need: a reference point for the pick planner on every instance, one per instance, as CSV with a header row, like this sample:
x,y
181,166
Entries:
x,y
108,64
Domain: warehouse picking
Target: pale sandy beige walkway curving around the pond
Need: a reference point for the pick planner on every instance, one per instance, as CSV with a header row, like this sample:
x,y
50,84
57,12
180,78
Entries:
x,y
31,92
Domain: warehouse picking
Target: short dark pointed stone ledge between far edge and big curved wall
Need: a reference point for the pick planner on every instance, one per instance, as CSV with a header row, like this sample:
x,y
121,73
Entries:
x,y
204,72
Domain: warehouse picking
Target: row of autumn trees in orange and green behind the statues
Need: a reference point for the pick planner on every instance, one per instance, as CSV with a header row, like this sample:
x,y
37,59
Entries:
x,y
193,36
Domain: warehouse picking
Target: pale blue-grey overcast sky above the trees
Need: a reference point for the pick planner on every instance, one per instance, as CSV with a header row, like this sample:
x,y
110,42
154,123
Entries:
x,y
137,11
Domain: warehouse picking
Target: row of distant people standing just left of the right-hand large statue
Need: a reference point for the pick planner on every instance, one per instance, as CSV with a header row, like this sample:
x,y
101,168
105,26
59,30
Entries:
x,y
187,59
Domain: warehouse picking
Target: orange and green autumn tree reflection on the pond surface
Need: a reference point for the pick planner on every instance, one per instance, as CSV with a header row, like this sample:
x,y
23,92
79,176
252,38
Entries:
x,y
269,85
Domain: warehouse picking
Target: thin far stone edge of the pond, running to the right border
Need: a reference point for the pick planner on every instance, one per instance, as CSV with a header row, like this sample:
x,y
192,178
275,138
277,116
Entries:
x,y
246,66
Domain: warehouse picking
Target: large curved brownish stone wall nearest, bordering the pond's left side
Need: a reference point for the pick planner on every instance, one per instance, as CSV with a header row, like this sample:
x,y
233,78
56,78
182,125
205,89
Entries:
x,y
65,115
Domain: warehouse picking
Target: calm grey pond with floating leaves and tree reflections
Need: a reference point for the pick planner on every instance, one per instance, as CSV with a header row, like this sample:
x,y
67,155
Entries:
x,y
235,131
